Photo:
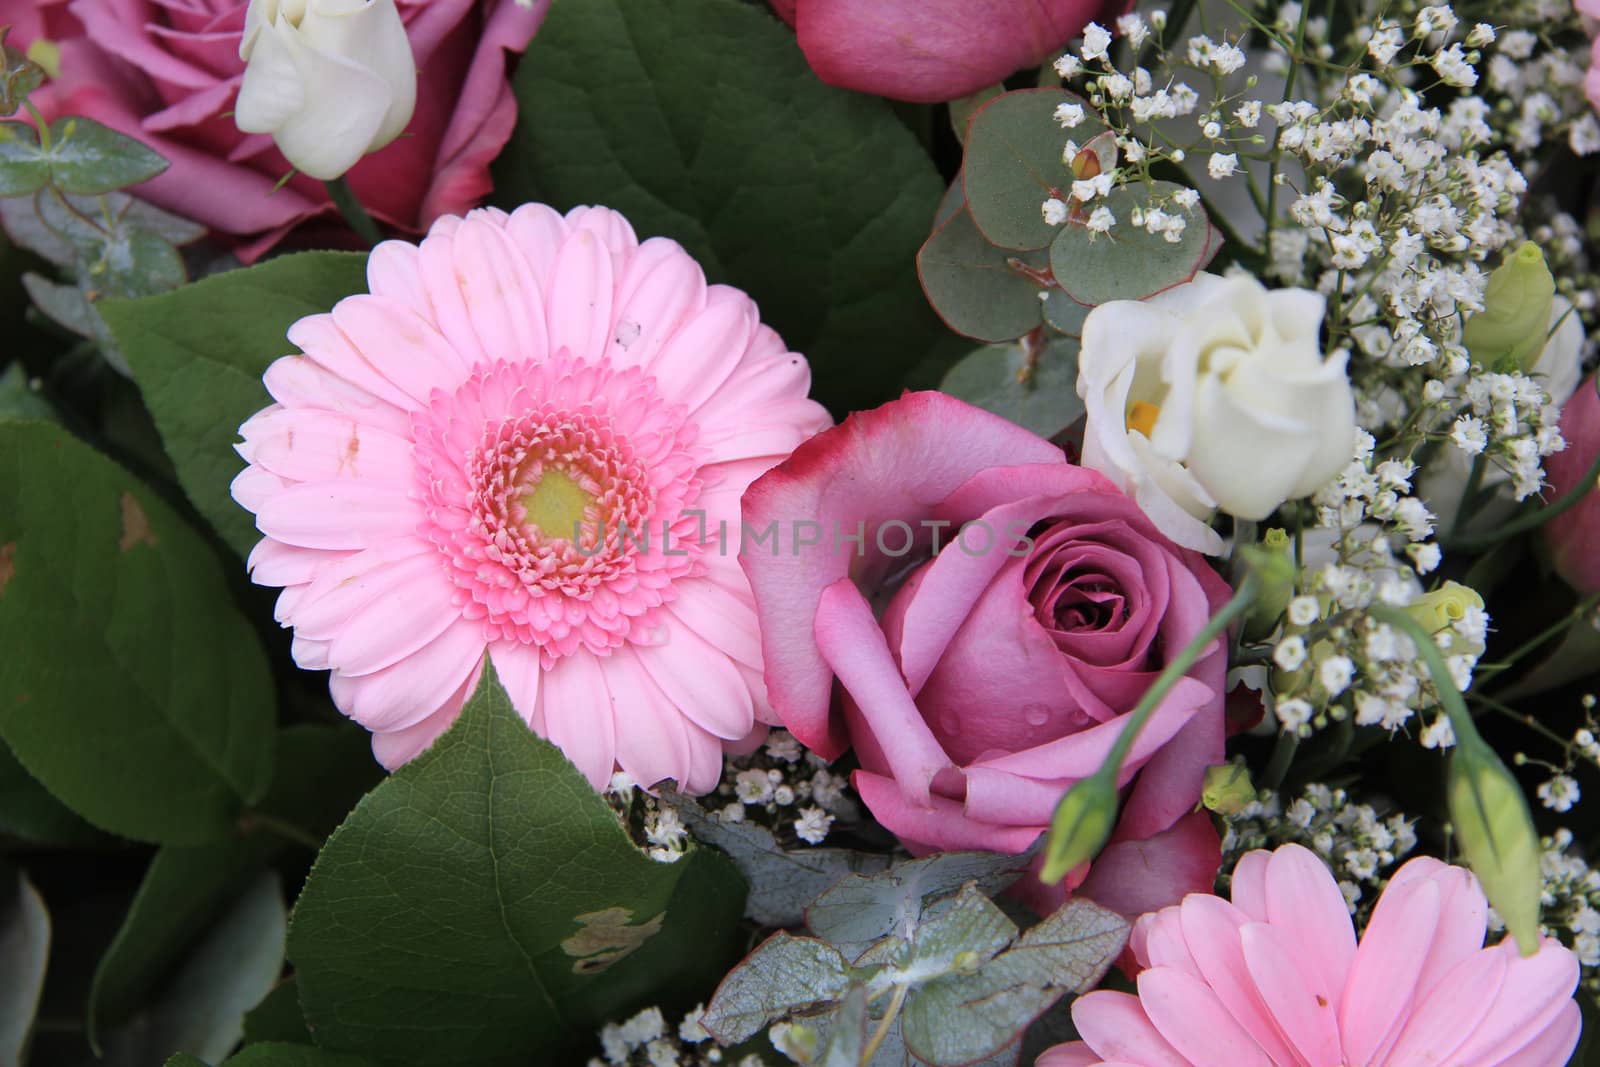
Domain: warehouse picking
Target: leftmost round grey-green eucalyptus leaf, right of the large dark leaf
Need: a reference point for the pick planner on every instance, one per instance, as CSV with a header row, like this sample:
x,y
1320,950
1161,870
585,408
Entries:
x,y
980,290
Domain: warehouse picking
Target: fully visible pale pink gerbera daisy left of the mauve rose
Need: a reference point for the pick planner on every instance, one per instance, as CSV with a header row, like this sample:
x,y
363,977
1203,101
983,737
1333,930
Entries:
x,y
529,439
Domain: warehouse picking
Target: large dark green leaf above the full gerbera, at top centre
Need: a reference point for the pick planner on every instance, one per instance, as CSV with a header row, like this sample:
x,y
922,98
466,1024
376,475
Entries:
x,y
812,199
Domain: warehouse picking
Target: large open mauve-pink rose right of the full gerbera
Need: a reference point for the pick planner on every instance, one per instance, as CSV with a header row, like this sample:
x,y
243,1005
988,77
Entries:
x,y
1023,609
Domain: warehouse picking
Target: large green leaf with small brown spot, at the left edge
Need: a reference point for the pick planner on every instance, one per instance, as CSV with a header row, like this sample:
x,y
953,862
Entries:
x,y
132,689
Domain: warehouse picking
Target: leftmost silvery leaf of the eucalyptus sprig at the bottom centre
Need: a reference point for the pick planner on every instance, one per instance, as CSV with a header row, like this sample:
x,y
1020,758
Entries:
x,y
785,973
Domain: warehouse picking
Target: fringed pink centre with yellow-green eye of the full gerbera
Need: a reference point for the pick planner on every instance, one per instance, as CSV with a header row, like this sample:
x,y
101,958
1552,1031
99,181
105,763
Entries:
x,y
558,492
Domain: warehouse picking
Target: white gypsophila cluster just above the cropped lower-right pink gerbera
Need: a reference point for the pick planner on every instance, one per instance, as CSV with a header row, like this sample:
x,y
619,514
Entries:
x,y
1362,845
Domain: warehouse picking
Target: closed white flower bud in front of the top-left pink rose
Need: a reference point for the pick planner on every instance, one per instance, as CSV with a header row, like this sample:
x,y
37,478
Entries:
x,y
330,81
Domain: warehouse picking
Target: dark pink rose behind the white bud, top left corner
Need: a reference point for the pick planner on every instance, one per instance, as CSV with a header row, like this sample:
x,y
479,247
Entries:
x,y
169,74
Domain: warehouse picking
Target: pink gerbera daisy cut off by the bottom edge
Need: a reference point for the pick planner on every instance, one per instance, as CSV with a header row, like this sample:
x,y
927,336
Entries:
x,y
1278,980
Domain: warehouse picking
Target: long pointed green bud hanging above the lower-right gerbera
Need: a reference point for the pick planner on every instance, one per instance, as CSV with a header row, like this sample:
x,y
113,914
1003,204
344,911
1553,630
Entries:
x,y
1497,834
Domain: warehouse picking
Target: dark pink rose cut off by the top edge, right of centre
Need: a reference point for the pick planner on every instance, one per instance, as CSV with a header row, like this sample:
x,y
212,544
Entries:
x,y
934,50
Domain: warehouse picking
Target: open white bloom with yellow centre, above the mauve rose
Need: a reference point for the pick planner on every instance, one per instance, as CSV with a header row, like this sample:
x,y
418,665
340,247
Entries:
x,y
1214,394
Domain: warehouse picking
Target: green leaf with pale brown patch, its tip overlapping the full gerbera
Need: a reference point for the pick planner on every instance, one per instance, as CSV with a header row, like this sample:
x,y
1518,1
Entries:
x,y
489,897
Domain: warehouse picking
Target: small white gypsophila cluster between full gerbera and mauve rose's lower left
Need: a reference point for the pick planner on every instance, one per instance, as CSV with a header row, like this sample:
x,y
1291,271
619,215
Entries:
x,y
786,789
